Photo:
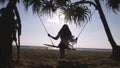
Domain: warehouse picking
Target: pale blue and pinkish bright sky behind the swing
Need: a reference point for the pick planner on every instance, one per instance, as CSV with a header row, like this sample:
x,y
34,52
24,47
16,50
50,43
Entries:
x,y
93,35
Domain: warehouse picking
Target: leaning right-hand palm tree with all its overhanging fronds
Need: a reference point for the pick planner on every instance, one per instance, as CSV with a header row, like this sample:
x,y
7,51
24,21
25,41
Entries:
x,y
78,12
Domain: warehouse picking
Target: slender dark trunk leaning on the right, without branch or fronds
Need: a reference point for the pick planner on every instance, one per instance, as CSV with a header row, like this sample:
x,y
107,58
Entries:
x,y
115,48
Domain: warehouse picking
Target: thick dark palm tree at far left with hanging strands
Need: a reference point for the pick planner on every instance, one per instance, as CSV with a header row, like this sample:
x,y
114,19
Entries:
x,y
8,29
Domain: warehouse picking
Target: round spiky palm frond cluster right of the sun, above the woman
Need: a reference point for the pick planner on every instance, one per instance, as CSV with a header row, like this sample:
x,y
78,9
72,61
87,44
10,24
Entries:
x,y
77,13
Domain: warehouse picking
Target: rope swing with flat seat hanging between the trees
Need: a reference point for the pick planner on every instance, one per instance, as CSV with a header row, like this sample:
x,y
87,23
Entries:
x,y
71,42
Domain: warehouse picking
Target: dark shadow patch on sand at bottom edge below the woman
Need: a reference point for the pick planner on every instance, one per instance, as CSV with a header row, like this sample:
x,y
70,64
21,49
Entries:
x,y
68,64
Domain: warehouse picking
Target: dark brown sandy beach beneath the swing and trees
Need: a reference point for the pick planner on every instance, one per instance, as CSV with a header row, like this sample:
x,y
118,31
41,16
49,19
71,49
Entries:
x,y
42,58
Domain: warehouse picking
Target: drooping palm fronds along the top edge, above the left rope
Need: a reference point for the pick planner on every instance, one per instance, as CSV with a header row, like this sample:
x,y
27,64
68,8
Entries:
x,y
40,6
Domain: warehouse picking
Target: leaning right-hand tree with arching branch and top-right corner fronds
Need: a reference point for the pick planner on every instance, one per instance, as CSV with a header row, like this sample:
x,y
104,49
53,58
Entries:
x,y
115,5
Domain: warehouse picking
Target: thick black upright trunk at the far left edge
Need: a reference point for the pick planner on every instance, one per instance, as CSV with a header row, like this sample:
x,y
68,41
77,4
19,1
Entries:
x,y
6,36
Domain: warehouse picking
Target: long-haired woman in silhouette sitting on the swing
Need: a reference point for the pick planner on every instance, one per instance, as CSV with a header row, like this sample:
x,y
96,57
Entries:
x,y
66,37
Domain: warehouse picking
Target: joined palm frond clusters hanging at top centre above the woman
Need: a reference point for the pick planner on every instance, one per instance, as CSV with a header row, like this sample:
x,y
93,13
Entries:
x,y
73,13
